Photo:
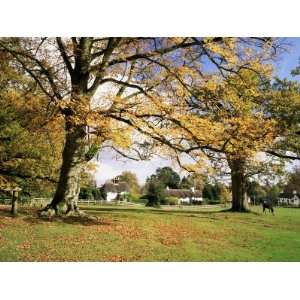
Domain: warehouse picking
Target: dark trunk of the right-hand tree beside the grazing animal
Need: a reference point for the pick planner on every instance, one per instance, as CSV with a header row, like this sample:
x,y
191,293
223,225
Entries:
x,y
238,182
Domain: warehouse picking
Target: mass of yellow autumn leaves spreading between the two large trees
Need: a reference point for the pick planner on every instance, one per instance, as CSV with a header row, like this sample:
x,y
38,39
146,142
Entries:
x,y
184,102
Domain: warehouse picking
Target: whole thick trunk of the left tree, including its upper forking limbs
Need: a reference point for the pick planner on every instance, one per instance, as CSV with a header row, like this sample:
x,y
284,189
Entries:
x,y
73,157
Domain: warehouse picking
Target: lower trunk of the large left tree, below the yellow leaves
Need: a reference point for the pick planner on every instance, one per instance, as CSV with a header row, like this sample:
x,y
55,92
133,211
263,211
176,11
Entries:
x,y
68,187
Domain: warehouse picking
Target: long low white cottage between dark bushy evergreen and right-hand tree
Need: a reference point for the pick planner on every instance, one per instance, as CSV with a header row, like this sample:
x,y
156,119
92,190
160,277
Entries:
x,y
185,196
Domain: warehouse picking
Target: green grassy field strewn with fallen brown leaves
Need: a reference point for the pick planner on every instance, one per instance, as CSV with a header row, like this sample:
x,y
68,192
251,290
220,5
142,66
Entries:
x,y
137,233
